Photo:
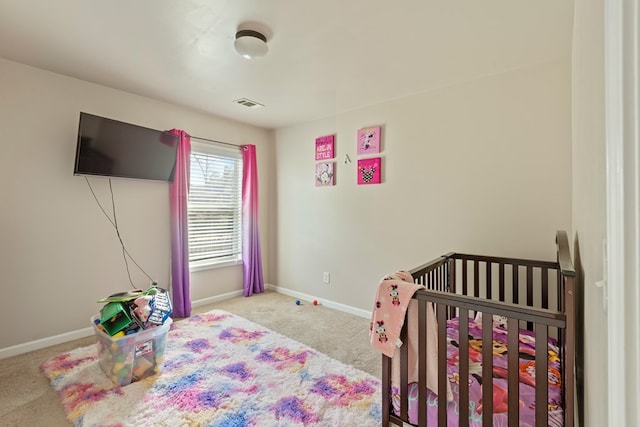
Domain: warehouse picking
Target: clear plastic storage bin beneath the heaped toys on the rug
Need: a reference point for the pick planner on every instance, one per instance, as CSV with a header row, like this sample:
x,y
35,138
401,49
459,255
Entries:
x,y
132,357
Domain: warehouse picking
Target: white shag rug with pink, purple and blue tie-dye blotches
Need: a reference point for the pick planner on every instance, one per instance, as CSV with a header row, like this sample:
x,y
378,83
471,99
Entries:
x,y
220,370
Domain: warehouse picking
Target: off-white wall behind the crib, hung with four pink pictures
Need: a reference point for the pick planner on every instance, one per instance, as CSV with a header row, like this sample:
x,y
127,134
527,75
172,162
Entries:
x,y
483,166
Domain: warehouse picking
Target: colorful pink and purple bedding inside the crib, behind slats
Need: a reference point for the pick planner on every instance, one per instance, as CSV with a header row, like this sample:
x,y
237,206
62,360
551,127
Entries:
x,y
527,379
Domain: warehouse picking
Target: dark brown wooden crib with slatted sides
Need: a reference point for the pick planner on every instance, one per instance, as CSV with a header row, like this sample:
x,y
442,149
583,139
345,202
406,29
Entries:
x,y
537,298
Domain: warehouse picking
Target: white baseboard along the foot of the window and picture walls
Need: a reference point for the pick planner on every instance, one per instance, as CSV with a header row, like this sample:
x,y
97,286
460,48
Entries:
x,y
85,332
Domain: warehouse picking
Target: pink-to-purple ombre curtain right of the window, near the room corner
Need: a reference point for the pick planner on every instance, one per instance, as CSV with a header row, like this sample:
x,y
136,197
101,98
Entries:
x,y
251,255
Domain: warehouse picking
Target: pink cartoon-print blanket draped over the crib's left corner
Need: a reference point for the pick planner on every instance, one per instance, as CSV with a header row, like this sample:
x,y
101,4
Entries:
x,y
394,302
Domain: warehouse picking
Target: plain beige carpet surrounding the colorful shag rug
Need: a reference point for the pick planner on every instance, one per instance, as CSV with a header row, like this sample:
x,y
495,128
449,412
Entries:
x,y
26,398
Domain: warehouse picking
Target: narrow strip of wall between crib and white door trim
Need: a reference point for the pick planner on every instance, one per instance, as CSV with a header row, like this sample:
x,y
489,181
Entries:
x,y
589,202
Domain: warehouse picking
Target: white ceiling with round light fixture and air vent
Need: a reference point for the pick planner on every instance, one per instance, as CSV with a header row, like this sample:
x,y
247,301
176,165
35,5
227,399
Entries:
x,y
325,57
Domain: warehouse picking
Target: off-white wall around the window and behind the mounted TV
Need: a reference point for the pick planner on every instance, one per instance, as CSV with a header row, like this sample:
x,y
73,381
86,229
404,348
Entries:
x,y
58,254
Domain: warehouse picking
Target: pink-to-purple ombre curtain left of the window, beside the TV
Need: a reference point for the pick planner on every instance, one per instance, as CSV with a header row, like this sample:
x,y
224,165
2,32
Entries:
x,y
178,195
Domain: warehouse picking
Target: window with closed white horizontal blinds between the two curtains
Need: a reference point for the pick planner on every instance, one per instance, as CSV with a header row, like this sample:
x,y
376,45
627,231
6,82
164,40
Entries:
x,y
214,206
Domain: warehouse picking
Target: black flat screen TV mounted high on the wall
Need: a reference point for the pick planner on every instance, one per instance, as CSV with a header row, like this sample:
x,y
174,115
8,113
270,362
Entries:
x,y
111,148
